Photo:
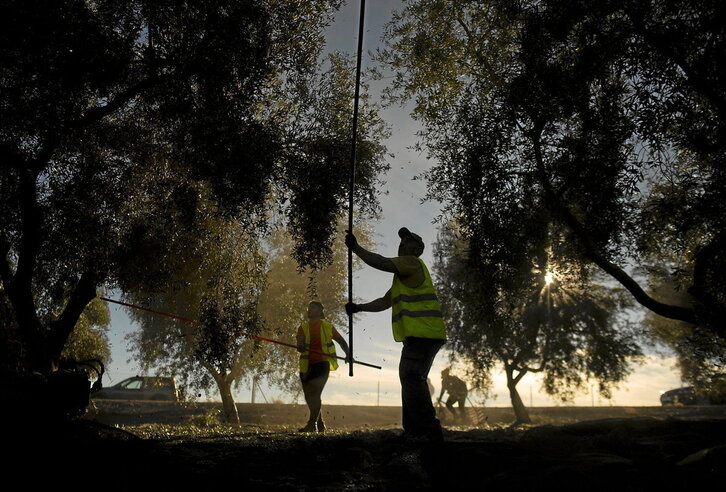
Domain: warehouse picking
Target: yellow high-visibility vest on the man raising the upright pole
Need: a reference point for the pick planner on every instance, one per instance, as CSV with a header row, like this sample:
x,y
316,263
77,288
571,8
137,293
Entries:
x,y
415,310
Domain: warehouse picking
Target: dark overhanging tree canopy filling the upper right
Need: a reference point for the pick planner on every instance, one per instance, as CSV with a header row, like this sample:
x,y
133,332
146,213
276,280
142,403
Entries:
x,y
592,129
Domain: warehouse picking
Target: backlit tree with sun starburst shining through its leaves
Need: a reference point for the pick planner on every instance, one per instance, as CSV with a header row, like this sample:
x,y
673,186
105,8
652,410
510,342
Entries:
x,y
568,329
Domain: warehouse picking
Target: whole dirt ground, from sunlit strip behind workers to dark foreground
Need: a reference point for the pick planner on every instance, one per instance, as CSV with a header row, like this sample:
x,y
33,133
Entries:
x,y
147,446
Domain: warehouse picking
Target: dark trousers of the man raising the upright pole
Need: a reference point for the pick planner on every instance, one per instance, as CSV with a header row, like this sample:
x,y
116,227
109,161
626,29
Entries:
x,y
419,416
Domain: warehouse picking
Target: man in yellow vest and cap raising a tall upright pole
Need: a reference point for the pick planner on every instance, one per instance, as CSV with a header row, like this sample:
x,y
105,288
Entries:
x,y
417,322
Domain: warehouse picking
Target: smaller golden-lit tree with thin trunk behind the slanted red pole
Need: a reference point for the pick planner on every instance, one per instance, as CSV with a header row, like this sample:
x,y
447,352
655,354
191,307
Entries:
x,y
219,285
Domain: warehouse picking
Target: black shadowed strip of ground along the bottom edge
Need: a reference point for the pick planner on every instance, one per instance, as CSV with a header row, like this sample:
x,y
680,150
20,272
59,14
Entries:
x,y
642,453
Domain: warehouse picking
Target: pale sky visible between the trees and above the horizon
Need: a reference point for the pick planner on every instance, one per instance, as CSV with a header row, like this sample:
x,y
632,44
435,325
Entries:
x,y
403,205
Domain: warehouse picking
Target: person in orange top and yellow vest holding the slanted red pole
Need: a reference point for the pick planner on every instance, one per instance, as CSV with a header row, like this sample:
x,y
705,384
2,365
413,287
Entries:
x,y
317,358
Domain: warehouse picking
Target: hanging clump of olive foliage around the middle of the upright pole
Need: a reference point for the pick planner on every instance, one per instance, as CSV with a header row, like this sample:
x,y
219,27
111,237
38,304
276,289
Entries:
x,y
318,166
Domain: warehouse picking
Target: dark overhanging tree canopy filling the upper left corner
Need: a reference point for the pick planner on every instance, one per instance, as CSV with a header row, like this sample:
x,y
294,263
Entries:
x,y
115,113
